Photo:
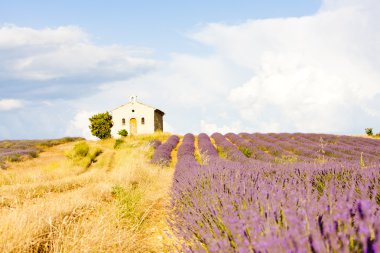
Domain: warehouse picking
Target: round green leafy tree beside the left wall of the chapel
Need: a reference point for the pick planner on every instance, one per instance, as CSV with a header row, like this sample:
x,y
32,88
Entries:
x,y
101,125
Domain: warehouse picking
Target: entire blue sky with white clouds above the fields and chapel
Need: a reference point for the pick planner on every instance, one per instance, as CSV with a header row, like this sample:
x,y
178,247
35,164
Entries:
x,y
226,66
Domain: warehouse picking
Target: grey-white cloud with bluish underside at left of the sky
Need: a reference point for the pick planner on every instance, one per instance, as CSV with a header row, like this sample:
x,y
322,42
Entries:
x,y
54,61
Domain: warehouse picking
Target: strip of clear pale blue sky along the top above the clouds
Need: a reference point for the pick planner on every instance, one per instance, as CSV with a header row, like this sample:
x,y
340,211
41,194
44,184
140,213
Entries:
x,y
158,25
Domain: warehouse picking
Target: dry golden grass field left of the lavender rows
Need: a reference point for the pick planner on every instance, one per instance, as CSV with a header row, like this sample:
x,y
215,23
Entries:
x,y
107,200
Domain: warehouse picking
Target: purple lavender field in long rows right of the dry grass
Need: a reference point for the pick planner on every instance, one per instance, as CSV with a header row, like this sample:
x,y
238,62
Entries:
x,y
275,193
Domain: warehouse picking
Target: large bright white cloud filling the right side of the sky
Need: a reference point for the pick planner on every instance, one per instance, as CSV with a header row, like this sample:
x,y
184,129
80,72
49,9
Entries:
x,y
315,73
